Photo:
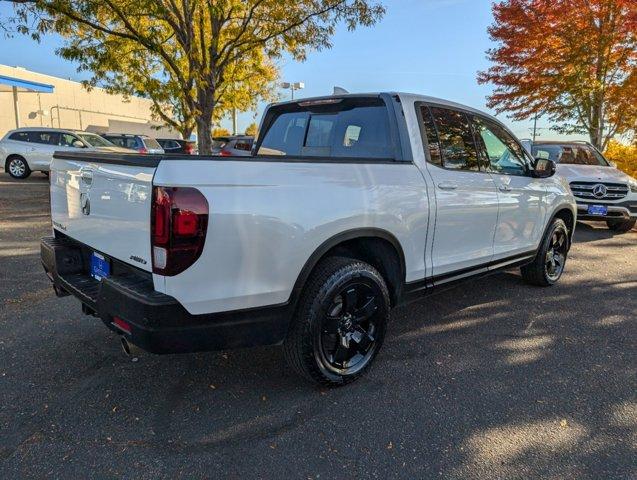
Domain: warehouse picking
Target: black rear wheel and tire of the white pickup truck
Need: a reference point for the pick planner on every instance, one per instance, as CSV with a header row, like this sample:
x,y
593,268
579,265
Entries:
x,y
340,322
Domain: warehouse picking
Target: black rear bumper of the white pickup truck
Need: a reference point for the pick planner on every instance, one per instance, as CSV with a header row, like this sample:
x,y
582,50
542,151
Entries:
x,y
158,322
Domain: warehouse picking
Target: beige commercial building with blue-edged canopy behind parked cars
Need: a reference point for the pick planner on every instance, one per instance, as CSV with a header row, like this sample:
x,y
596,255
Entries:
x,y
30,99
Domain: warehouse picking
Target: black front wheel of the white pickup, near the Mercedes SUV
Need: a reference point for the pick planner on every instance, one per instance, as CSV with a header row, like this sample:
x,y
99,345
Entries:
x,y
548,265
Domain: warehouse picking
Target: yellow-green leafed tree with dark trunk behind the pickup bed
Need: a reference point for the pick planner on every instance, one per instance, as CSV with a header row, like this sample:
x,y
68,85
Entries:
x,y
198,56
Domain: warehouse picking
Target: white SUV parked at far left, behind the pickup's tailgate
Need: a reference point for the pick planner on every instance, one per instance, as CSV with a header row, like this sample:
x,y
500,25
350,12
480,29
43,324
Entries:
x,y
25,150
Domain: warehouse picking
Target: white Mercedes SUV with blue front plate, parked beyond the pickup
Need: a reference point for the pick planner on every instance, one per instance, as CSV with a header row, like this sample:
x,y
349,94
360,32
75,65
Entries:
x,y
602,191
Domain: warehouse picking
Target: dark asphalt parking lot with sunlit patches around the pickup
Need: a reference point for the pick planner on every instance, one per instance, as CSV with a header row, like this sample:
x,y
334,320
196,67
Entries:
x,y
493,379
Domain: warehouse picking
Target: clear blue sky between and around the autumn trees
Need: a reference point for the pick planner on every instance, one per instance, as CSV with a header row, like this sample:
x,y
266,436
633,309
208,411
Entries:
x,y
433,47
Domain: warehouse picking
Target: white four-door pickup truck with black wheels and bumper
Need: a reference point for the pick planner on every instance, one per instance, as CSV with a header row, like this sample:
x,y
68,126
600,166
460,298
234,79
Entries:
x,y
349,206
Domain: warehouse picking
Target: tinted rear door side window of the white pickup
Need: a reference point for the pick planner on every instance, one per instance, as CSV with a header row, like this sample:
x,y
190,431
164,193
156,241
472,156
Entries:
x,y
457,147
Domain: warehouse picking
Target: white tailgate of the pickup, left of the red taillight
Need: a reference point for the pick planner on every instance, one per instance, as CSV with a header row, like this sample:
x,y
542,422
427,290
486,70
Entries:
x,y
104,201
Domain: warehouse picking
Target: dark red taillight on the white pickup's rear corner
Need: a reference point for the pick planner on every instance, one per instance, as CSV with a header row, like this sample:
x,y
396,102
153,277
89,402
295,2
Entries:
x,y
179,221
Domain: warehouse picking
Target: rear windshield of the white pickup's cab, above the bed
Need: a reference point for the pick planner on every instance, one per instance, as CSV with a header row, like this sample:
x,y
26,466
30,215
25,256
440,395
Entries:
x,y
350,128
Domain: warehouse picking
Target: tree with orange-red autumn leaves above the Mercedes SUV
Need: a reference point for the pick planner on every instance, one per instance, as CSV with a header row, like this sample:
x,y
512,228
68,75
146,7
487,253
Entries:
x,y
572,60
